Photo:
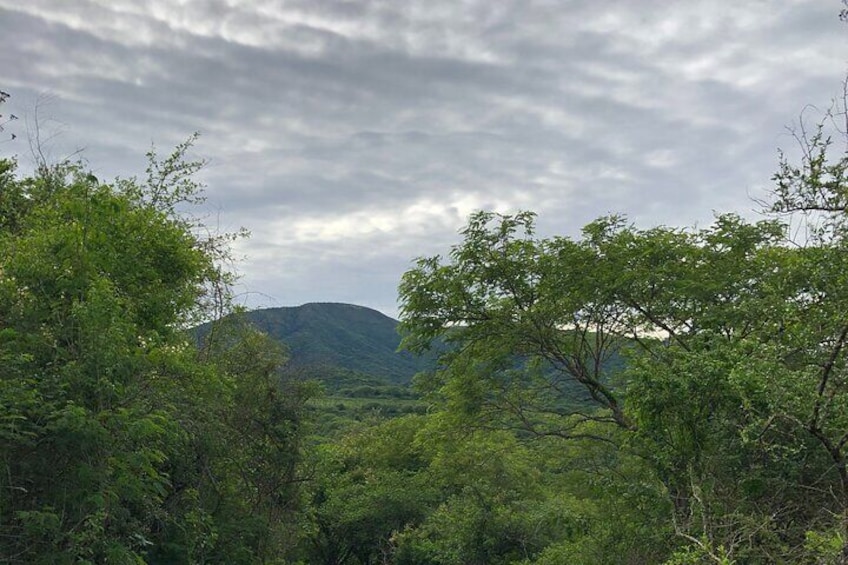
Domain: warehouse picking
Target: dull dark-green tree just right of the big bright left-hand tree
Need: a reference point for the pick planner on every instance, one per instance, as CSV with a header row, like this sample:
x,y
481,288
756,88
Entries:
x,y
253,493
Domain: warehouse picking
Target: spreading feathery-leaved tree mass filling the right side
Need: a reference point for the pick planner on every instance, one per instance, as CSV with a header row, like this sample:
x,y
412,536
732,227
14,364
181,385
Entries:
x,y
719,353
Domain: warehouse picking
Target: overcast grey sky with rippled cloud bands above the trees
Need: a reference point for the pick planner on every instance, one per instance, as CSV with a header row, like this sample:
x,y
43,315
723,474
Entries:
x,y
352,136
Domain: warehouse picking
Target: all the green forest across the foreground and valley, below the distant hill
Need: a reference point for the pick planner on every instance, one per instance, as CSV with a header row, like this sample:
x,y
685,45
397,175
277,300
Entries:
x,y
629,396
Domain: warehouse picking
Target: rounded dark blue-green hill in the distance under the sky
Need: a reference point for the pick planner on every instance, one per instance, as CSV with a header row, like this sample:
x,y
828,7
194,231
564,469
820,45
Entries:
x,y
352,337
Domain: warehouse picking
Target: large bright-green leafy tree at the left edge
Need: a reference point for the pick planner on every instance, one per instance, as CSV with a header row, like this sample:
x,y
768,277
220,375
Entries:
x,y
94,285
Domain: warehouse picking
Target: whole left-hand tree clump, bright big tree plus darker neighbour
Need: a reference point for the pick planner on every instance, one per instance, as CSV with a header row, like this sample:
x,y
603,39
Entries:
x,y
119,440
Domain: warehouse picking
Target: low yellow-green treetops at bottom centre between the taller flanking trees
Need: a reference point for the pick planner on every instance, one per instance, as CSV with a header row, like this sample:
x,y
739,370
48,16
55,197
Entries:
x,y
421,489
